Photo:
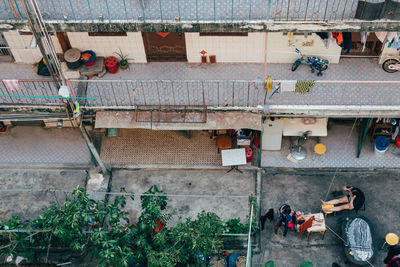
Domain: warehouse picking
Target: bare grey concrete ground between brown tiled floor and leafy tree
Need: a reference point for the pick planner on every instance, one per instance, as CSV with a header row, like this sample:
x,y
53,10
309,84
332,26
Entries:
x,y
219,187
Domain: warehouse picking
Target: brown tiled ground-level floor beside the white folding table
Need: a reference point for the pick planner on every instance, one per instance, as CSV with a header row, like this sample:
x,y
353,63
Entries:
x,y
138,146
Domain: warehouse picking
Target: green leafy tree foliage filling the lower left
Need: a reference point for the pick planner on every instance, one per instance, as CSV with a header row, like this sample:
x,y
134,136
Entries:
x,y
104,231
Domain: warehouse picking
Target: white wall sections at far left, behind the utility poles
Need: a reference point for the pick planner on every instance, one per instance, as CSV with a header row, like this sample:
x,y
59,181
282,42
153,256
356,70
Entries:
x,y
28,56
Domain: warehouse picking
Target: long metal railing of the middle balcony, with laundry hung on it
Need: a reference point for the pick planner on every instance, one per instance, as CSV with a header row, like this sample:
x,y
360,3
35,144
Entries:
x,y
129,94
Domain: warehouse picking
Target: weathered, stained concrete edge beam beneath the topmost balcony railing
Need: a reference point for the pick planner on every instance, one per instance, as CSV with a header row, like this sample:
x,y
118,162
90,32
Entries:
x,y
253,26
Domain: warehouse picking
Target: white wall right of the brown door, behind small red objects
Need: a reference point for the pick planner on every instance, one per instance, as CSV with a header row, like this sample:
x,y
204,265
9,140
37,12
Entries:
x,y
249,48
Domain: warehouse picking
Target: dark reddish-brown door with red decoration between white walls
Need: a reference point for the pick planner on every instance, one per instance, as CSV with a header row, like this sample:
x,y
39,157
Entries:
x,y
165,46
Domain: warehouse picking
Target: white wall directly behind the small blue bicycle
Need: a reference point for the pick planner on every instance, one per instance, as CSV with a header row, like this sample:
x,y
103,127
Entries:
x,y
281,49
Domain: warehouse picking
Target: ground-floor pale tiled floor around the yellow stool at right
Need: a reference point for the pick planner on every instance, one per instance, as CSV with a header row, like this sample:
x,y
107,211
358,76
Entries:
x,y
341,152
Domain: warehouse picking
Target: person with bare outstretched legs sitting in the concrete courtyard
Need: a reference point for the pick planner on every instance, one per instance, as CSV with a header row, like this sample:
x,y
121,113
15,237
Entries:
x,y
353,201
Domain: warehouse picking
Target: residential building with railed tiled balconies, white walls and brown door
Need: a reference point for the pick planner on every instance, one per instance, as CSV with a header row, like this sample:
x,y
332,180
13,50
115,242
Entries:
x,y
204,65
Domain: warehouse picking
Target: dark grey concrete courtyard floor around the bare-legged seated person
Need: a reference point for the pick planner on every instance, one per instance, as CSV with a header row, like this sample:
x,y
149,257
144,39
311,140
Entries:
x,y
303,190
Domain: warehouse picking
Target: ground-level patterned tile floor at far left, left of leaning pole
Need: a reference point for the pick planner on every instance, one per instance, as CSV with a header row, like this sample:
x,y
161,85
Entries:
x,y
24,144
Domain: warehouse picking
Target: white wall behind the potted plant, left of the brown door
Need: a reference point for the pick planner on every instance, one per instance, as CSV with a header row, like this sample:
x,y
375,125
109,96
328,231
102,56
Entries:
x,y
131,45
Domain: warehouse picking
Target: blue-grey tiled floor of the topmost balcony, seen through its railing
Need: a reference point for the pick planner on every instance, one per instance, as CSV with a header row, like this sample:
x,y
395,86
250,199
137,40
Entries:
x,y
188,10
